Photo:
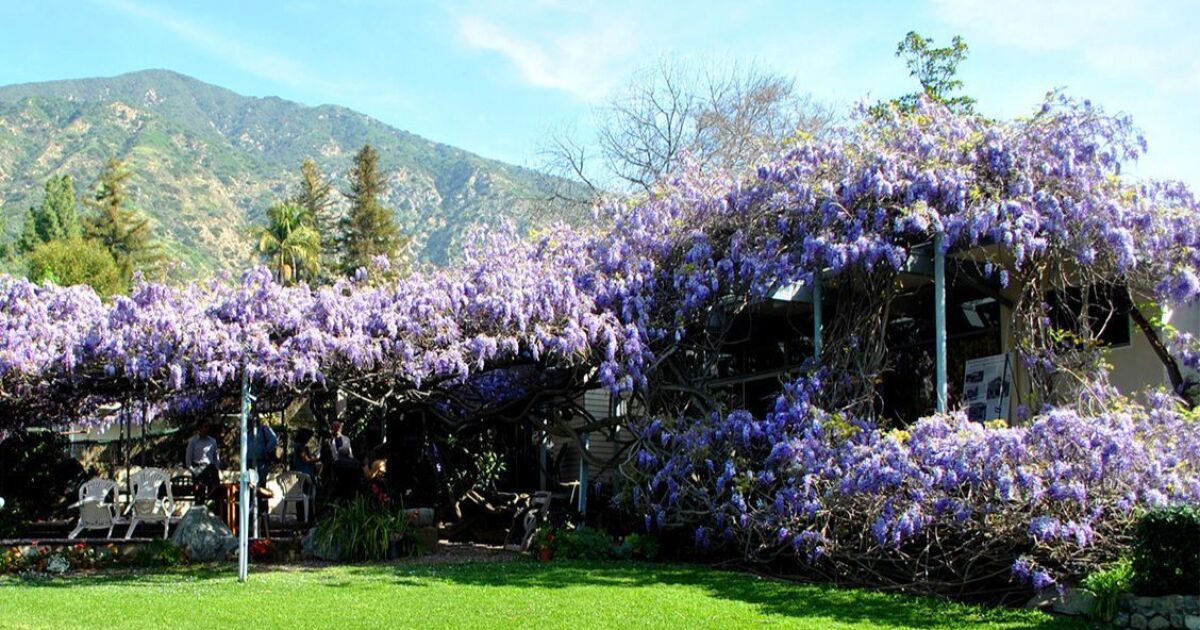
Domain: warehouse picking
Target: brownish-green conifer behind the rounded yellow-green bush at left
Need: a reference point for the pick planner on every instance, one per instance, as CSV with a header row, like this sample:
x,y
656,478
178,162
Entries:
x,y
121,230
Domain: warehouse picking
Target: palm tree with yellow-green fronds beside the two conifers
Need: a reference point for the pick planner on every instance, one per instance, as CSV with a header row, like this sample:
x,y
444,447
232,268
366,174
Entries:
x,y
290,243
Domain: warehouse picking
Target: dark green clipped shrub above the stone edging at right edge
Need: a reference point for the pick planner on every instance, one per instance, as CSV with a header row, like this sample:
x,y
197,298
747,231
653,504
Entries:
x,y
1167,553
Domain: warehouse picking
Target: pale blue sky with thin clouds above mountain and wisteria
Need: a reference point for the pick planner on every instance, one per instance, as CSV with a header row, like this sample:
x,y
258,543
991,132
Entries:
x,y
495,77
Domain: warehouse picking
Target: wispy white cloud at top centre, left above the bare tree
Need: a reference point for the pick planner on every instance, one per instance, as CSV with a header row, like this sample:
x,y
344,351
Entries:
x,y
574,49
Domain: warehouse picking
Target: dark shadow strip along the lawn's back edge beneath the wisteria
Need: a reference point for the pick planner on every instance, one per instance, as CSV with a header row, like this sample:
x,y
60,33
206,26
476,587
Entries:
x,y
770,597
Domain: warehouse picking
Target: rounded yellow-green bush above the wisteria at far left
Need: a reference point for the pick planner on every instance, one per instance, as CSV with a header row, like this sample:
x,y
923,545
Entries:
x,y
77,262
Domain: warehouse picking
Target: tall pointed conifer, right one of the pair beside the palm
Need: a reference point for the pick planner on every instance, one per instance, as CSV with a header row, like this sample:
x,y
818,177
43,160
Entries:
x,y
369,229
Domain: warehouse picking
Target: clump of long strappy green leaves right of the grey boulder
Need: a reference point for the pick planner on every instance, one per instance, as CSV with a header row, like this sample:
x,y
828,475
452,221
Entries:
x,y
361,530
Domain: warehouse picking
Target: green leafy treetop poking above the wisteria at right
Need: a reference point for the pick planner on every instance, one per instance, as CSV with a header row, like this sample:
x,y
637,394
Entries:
x,y
937,69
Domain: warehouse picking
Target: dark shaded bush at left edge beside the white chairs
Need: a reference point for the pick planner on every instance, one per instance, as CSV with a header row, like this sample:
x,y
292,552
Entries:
x,y
38,479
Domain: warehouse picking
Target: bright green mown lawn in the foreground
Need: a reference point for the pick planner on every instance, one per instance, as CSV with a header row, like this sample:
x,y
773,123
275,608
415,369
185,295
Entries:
x,y
517,595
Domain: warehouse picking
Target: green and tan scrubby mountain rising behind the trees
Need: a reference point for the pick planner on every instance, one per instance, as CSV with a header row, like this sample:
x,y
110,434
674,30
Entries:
x,y
207,163
